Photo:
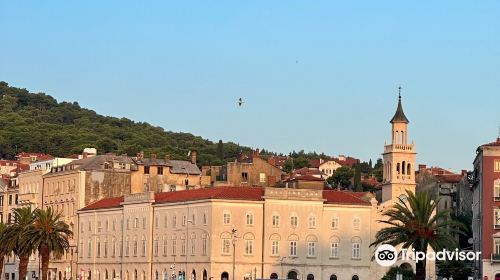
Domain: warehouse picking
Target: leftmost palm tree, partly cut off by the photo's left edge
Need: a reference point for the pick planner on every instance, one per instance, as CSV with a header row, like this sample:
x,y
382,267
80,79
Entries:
x,y
11,239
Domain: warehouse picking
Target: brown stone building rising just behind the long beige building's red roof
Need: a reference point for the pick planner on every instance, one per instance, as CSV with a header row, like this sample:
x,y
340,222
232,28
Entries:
x,y
245,171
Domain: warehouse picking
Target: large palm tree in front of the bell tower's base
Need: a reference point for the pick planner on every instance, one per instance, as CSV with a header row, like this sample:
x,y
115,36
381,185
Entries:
x,y
416,224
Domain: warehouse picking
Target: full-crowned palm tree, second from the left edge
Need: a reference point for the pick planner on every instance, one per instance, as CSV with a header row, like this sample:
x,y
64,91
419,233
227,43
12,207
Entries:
x,y
49,235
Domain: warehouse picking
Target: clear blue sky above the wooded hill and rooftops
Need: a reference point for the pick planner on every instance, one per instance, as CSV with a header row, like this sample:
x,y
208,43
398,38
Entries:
x,y
314,75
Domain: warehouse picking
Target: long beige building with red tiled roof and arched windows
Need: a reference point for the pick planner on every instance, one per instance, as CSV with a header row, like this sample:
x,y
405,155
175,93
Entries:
x,y
277,233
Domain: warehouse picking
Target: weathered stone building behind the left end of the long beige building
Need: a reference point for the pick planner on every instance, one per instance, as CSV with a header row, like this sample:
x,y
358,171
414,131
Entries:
x,y
72,186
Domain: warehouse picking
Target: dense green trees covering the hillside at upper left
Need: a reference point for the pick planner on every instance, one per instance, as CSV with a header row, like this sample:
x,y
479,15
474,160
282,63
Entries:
x,y
36,122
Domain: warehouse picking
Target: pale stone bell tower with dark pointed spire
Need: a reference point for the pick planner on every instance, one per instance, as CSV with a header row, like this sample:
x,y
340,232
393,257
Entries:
x,y
399,159
